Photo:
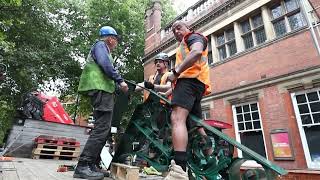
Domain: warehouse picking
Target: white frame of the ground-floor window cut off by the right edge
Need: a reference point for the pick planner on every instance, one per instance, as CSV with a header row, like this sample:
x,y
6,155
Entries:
x,y
310,163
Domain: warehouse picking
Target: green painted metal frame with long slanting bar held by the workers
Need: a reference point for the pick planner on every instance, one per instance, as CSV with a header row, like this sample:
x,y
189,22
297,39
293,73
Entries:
x,y
215,166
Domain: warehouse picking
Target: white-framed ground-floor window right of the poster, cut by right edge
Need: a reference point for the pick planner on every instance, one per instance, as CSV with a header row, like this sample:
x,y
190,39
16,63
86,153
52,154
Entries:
x,y
307,109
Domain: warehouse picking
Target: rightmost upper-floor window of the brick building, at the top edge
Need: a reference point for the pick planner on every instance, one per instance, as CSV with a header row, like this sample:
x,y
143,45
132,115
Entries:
x,y
287,17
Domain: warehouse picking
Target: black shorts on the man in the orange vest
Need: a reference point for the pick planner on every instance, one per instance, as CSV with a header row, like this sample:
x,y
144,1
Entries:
x,y
188,94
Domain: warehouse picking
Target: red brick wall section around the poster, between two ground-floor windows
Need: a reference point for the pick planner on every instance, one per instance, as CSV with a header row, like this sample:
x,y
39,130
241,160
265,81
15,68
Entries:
x,y
277,113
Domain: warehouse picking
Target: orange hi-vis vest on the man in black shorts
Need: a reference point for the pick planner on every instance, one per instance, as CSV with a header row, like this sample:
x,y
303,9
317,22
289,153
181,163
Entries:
x,y
199,70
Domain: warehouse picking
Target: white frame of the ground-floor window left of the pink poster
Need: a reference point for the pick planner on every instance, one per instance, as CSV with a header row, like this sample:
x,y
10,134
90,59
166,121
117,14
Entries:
x,y
237,133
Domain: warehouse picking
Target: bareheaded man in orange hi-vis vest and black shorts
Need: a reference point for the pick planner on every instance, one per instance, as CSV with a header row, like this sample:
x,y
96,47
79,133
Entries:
x,y
191,79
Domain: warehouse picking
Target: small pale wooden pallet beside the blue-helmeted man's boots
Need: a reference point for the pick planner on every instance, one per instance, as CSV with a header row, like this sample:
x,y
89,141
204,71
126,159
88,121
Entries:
x,y
124,172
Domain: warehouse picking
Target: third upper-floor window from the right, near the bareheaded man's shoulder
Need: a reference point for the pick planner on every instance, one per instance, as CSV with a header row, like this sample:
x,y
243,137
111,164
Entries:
x,y
226,44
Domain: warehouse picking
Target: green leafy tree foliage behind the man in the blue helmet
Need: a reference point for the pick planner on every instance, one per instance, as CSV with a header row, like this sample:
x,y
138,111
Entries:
x,y
44,41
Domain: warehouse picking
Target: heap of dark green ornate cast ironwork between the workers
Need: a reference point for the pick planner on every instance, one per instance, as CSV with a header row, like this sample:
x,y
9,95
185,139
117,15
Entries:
x,y
209,157
